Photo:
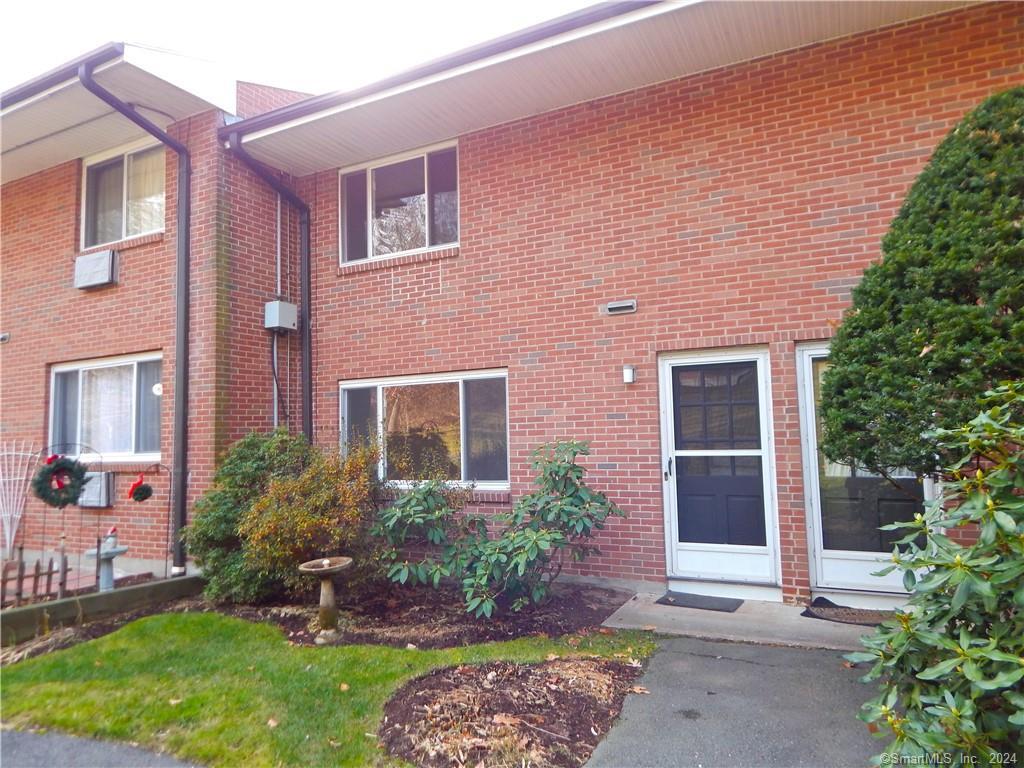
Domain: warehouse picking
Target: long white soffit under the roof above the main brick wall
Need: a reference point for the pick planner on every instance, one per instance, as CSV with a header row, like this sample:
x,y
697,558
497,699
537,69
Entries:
x,y
638,49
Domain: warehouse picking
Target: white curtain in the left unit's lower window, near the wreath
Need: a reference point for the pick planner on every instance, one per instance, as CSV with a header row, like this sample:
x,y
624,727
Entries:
x,y
107,398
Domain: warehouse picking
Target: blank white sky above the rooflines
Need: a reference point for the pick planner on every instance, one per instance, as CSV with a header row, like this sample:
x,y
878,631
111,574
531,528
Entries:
x,y
302,45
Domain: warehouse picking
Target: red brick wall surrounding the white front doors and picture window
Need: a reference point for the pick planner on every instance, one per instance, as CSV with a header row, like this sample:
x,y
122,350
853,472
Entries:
x,y
737,206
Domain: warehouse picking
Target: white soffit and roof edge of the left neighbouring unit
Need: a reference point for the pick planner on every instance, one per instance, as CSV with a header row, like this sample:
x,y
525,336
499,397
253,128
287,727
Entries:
x,y
67,122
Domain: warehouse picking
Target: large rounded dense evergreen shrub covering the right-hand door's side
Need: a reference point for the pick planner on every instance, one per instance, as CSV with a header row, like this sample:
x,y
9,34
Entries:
x,y
942,317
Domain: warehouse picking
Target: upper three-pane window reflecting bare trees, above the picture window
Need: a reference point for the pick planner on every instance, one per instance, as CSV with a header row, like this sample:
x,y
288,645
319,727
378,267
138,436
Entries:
x,y
401,206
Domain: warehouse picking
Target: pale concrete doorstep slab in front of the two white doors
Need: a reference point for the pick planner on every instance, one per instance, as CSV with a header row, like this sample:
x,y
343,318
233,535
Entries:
x,y
754,622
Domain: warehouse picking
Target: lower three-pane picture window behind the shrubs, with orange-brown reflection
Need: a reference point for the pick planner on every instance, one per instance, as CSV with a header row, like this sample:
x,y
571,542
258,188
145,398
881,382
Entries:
x,y
452,428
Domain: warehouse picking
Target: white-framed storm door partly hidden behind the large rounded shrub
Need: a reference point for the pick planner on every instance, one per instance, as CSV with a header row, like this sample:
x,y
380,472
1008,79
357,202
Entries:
x,y
846,506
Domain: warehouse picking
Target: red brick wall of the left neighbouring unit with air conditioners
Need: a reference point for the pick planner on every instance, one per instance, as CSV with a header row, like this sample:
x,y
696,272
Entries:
x,y
52,322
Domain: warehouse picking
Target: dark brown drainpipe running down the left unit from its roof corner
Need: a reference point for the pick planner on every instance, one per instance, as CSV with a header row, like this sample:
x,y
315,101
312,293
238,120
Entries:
x,y
180,484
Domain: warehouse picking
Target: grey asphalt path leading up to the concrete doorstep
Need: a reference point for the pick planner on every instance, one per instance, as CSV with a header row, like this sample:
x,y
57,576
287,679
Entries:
x,y
716,704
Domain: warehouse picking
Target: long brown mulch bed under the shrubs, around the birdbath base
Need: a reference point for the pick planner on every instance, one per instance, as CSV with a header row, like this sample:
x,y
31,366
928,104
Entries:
x,y
383,616
